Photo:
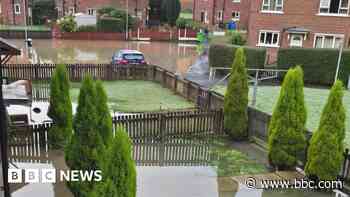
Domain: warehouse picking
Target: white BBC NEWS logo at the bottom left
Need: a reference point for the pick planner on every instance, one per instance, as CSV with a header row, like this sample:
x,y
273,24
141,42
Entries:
x,y
52,175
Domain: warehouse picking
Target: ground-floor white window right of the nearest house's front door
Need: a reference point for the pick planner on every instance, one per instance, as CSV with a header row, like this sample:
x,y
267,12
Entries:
x,y
328,41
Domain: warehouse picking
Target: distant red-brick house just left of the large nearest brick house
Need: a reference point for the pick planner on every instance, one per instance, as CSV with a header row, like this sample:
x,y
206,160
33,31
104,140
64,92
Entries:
x,y
214,12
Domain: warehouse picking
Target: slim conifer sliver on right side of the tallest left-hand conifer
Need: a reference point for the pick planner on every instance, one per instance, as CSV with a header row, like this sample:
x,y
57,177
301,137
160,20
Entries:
x,y
104,119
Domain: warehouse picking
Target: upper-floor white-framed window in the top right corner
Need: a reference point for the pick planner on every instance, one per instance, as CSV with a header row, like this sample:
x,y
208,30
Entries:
x,y
334,7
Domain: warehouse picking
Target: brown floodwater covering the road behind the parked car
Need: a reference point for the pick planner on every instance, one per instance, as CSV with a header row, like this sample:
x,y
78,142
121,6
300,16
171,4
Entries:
x,y
175,57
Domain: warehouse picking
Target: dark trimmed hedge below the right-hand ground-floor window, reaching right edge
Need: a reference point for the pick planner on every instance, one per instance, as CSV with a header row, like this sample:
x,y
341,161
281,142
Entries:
x,y
319,65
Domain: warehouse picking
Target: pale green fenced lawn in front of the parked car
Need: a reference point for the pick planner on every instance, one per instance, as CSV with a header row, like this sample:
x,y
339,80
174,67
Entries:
x,y
138,96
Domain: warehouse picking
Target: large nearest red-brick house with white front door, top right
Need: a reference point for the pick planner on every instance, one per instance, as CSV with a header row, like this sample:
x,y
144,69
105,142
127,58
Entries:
x,y
298,23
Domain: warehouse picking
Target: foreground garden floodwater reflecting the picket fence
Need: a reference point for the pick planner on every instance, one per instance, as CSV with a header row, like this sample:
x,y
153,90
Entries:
x,y
171,168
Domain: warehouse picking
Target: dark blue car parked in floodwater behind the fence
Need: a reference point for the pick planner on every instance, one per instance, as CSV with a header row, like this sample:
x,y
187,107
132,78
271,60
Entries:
x,y
127,57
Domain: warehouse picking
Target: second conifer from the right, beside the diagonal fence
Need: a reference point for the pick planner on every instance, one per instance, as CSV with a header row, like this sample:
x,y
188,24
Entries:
x,y
287,127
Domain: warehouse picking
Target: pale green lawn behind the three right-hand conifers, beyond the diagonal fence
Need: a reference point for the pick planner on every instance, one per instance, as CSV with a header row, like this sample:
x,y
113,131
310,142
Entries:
x,y
315,100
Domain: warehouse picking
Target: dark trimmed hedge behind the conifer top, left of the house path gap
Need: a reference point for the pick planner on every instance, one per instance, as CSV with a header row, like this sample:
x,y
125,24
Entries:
x,y
221,55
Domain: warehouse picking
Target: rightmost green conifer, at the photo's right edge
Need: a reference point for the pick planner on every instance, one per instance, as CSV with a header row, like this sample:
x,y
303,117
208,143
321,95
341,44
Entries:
x,y
325,153
